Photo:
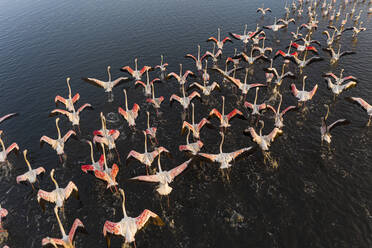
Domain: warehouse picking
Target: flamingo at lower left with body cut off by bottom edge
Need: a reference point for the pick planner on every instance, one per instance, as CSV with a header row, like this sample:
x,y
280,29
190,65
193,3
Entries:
x,y
67,241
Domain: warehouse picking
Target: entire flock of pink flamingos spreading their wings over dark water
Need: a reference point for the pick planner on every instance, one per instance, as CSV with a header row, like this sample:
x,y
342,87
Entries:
x,y
300,48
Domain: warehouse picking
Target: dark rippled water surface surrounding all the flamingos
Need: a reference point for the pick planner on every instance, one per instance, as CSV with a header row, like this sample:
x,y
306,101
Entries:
x,y
318,196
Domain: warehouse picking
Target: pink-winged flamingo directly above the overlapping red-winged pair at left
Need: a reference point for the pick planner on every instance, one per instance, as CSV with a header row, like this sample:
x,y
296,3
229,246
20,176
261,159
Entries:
x,y
106,136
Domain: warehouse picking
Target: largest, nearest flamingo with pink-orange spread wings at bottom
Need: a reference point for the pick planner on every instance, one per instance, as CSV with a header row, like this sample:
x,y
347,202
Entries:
x,y
128,226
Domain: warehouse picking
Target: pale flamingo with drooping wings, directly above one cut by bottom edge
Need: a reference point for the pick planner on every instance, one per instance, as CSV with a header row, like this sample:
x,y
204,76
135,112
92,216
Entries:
x,y
57,196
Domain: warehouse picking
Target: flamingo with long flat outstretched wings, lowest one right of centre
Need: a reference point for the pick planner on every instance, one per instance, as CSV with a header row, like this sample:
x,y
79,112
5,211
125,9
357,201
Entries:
x,y
223,158
